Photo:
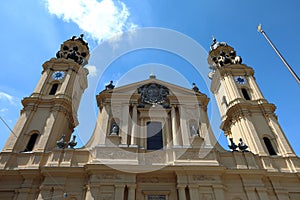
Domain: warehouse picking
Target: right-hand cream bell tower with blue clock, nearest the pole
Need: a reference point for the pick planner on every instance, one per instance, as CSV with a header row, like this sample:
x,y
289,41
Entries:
x,y
246,115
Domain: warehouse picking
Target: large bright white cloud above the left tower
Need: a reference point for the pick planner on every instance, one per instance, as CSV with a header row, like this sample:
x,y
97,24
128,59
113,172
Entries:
x,y
99,20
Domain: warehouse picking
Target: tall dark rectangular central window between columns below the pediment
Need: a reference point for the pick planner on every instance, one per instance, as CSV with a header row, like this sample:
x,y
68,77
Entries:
x,y
154,136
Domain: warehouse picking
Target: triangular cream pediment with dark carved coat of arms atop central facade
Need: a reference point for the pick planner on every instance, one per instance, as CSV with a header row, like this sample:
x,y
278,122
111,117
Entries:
x,y
153,91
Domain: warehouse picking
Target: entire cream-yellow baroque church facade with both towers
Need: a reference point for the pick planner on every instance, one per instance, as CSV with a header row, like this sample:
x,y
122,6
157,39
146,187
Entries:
x,y
152,139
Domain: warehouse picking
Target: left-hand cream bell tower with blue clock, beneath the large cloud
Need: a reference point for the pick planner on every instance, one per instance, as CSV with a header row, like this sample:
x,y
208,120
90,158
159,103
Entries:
x,y
51,110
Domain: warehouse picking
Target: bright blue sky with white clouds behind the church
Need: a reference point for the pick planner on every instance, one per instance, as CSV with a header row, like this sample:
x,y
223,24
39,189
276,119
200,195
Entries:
x,y
32,31
